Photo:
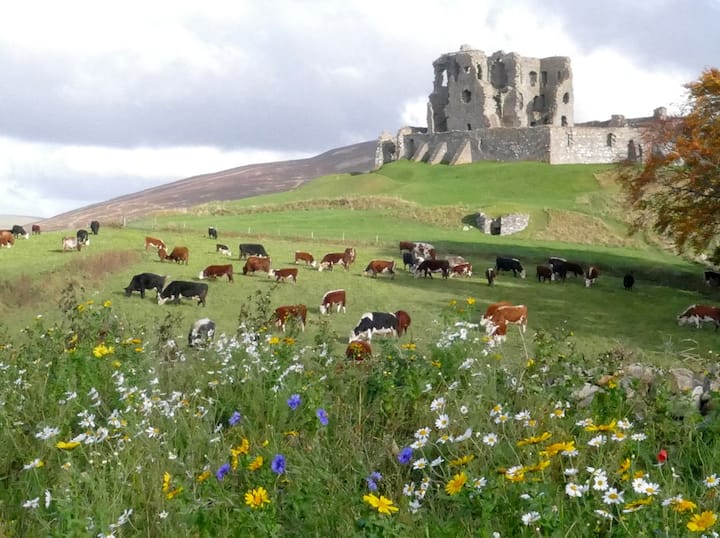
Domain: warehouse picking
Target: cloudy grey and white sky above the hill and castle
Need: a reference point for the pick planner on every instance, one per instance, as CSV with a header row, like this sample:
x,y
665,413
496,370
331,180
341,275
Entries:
x,y
100,99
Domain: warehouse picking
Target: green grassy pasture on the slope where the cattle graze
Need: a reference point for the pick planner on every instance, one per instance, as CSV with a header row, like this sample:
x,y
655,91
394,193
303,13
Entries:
x,y
640,323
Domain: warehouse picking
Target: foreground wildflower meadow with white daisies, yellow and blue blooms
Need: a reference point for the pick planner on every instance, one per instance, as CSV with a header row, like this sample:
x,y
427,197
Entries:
x,y
113,429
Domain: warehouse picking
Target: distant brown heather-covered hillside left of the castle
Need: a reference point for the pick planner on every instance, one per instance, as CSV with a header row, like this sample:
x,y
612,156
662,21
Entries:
x,y
233,184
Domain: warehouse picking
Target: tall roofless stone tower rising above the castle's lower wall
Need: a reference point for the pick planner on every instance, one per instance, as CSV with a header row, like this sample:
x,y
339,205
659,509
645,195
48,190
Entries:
x,y
474,91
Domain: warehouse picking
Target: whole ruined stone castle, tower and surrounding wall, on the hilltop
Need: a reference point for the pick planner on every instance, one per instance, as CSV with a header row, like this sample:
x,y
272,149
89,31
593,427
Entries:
x,y
506,107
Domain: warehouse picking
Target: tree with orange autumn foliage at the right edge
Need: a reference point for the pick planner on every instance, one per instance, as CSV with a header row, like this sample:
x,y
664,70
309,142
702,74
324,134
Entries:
x,y
677,187
